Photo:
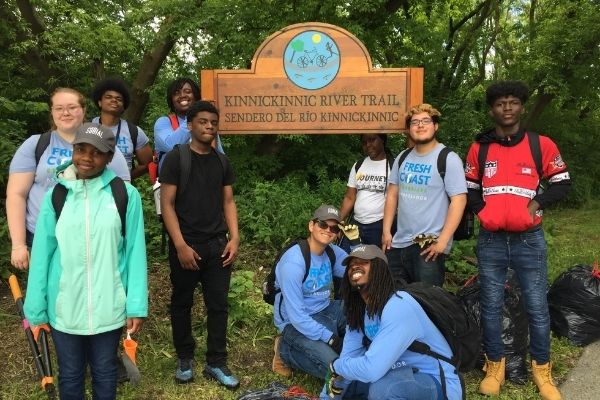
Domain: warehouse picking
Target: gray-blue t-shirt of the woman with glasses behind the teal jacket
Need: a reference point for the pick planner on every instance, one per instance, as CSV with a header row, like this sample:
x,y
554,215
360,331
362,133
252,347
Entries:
x,y
58,152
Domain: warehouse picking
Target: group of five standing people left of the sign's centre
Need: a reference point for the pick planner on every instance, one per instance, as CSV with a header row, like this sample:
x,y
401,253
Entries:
x,y
77,223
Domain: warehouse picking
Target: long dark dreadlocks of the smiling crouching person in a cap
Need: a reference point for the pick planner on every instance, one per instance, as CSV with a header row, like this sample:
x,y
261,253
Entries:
x,y
379,289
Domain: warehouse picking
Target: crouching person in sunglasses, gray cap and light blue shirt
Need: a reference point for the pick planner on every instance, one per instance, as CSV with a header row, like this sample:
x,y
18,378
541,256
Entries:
x,y
310,323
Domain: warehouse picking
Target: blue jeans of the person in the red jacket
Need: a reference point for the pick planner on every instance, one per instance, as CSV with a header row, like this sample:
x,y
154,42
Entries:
x,y
525,253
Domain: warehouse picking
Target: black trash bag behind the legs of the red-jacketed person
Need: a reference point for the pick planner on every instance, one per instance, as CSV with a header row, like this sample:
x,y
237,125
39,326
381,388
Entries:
x,y
515,333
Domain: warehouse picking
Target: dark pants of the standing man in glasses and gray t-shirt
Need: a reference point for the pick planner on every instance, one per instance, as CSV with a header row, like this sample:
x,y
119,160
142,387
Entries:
x,y
409,265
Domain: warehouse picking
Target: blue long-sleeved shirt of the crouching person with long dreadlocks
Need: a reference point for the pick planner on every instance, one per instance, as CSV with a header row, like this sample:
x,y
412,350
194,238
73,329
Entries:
x,y
402,321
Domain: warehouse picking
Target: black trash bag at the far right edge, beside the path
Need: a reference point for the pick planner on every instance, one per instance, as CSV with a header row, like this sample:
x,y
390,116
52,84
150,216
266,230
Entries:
x,y
574,302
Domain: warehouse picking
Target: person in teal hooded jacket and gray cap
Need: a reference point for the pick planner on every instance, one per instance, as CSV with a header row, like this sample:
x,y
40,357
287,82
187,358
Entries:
x,y
87,279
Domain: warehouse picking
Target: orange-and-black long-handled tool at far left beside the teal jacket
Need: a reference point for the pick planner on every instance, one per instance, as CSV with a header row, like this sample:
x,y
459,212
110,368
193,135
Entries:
x,y
38,342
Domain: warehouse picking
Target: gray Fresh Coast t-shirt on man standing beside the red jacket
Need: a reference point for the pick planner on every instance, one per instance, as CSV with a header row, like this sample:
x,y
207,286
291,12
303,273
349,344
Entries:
x,y
423,195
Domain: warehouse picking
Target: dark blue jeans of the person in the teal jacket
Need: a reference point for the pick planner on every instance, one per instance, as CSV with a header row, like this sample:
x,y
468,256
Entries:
x,y
75,352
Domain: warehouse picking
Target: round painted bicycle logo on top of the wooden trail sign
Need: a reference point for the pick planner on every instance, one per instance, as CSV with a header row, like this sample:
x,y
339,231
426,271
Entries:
x,y
311,60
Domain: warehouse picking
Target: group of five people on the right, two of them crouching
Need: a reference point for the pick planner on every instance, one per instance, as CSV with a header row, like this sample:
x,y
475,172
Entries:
x,y
359,343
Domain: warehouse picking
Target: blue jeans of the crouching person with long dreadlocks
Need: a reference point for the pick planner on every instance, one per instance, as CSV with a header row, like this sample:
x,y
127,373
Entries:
x,y
403,383
